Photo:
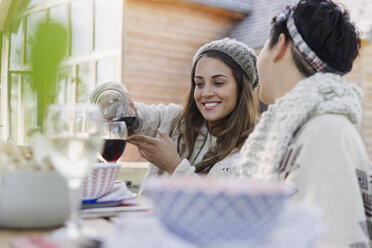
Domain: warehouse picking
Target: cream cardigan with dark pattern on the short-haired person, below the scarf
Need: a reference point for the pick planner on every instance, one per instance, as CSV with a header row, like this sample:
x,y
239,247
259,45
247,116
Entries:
x,y
325,160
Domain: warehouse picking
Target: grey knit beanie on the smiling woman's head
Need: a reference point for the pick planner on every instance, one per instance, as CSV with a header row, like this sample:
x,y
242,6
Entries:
x,y
243,55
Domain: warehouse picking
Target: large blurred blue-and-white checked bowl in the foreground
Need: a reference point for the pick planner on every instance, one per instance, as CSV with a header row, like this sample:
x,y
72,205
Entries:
x,y
215,211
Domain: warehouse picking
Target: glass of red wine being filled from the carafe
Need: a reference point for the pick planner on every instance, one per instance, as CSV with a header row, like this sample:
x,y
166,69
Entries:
x,y
115,134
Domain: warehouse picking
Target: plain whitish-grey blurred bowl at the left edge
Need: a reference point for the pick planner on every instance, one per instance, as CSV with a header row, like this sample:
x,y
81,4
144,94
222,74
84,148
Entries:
x,y
33,199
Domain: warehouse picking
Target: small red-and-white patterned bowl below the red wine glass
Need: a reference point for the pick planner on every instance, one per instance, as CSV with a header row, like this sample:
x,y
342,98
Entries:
x,y
100,180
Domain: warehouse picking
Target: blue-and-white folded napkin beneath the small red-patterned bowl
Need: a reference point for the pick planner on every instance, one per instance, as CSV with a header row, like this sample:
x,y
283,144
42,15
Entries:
x,y
118,194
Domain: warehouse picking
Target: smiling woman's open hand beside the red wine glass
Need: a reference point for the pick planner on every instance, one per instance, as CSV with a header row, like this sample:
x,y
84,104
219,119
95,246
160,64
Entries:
x,y
162,153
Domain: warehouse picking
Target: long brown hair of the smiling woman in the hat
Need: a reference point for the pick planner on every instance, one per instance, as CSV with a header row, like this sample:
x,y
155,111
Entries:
x,y
232,131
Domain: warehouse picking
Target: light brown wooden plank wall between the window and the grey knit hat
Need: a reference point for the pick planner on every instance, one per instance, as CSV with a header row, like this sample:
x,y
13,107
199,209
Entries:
x,y
160,39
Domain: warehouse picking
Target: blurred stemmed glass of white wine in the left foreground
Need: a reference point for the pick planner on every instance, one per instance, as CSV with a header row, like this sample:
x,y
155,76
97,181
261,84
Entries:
x,y
74,132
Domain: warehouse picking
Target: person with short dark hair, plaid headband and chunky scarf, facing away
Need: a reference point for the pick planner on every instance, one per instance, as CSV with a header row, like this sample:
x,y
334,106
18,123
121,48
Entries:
x,y
307,136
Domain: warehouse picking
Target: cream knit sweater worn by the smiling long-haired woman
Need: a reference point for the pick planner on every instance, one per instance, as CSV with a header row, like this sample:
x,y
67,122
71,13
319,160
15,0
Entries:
x,y
166,118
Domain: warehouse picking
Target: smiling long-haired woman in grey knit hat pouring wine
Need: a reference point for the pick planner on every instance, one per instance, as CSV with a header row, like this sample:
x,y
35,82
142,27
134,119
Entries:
x,y
204,136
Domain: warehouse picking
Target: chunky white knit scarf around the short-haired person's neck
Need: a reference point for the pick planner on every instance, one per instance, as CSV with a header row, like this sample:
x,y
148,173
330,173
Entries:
x,y
263,151
